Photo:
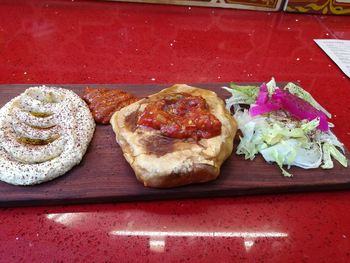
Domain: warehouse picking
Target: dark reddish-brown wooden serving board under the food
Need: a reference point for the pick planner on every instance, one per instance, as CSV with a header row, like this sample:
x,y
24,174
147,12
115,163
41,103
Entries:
x,y
104,175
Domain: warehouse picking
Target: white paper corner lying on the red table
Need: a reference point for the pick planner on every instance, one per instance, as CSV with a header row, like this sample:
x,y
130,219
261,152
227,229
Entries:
x,y
338,51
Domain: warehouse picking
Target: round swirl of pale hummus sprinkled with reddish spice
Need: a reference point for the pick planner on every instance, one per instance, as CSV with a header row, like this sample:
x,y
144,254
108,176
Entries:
x,y
44,132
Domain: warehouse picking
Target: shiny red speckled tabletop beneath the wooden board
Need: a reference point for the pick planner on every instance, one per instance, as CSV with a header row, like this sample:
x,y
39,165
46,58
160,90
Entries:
x,y
106,42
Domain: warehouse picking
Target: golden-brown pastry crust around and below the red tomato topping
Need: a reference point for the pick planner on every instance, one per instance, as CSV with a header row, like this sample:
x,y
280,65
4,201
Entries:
x,y
164,162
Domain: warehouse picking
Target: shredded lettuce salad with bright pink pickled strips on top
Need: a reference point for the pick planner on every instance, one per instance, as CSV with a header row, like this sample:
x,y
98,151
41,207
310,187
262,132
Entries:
x,y
285,125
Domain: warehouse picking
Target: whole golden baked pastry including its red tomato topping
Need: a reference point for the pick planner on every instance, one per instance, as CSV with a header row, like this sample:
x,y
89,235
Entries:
x,y
163,158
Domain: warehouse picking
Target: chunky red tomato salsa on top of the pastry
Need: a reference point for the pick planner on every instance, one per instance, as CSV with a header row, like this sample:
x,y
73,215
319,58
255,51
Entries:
x,y
181,116
